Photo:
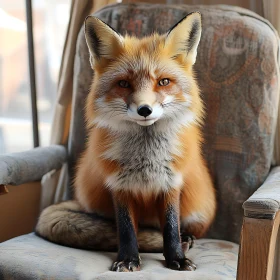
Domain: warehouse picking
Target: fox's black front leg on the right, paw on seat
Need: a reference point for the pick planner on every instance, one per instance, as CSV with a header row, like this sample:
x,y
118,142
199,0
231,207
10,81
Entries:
x,y
169,219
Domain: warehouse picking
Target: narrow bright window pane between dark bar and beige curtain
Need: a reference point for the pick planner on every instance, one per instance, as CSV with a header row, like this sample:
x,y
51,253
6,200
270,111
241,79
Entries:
x,y
50,19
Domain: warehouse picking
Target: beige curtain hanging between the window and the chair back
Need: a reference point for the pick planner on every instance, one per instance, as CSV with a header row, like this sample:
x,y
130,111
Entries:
x,y
54,183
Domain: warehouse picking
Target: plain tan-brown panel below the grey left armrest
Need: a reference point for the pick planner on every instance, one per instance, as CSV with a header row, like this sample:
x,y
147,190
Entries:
x,y
19,210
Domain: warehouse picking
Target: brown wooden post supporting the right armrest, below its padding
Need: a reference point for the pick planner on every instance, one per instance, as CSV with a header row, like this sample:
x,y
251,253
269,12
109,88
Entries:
x,y
257,248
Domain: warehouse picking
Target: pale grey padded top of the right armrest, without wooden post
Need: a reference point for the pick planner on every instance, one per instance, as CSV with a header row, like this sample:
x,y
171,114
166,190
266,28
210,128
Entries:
x,y
265,202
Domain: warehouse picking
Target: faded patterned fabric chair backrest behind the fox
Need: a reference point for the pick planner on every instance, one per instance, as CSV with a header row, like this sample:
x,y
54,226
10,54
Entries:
x,y
238,74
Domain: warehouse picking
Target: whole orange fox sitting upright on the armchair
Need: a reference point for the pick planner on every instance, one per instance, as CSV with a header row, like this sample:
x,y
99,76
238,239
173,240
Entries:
x,y
142,183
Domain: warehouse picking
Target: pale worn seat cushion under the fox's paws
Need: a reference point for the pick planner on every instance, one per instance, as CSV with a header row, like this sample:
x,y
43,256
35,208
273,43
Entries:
x,y
39,259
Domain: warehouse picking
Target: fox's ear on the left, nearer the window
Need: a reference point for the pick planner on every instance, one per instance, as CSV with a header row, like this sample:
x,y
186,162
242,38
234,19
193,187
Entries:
x,y
102,40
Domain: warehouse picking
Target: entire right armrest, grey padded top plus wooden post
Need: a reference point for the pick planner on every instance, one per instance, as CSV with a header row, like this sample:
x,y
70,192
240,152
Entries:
x,y
259,230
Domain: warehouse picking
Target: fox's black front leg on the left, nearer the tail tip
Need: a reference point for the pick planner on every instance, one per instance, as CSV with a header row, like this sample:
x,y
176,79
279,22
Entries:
x,y
128,259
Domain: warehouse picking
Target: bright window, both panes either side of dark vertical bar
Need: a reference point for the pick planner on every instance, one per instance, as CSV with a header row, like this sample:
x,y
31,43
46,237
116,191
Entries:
x,y
50,19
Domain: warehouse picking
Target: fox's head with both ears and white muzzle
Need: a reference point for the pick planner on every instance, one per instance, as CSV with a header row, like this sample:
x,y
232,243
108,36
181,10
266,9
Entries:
x,y
143,82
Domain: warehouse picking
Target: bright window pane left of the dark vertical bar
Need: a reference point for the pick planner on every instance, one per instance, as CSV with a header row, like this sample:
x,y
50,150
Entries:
x,y
15,108
